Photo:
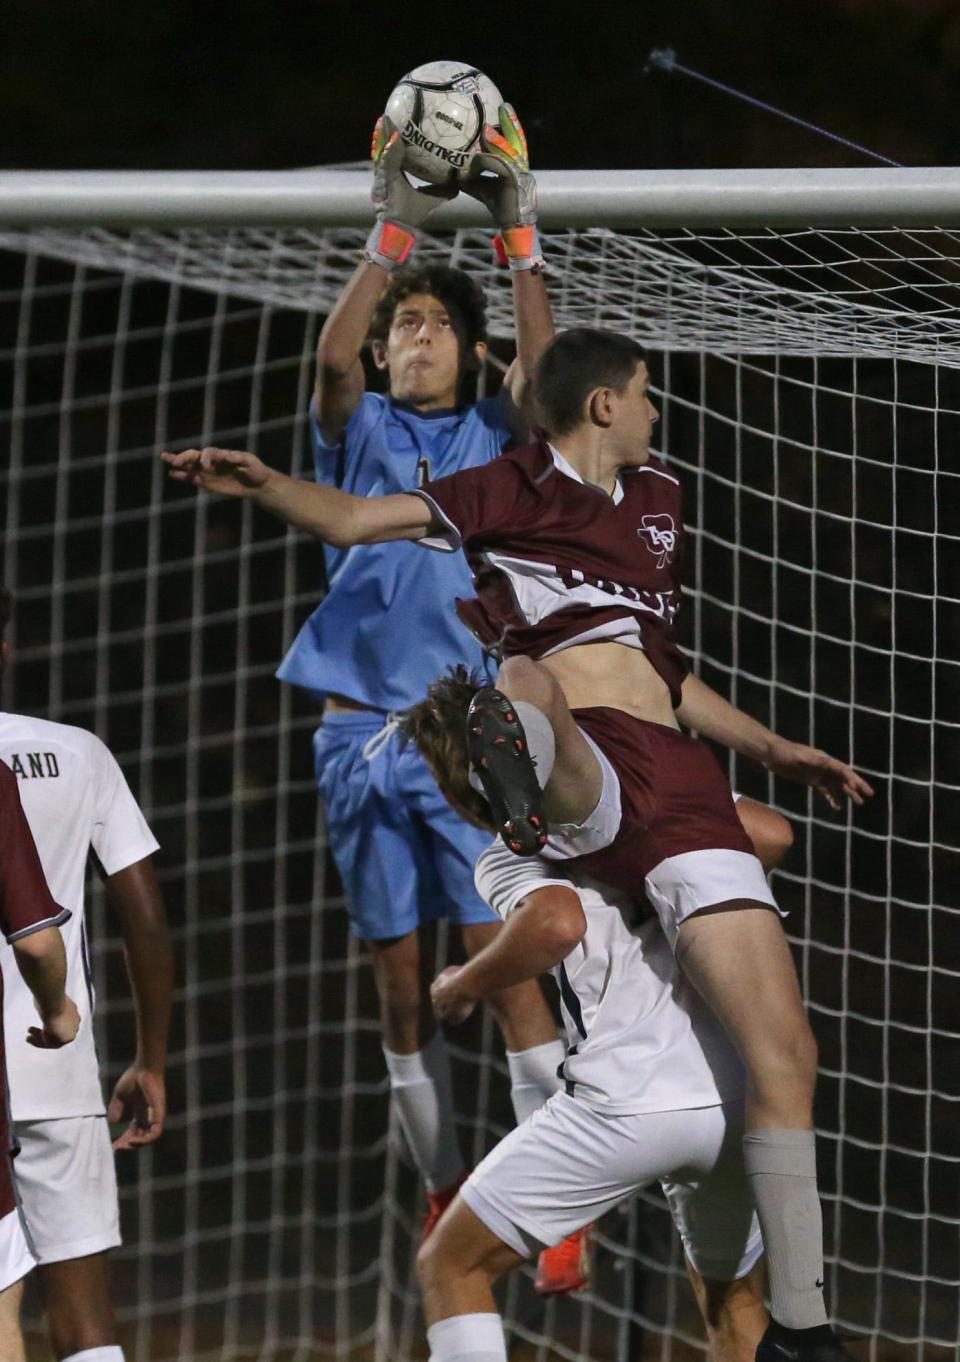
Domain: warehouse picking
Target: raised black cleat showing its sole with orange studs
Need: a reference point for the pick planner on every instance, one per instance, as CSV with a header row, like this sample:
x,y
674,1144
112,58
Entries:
x,y
499,755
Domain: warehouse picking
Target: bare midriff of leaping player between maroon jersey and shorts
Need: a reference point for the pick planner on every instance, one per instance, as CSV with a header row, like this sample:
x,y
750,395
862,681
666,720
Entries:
x,y
616,676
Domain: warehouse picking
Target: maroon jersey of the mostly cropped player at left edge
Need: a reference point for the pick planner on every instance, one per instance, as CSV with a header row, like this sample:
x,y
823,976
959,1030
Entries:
x,y
25,906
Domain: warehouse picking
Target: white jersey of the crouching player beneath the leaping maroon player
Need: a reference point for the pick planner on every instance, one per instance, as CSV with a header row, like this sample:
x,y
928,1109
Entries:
x,y
641,1040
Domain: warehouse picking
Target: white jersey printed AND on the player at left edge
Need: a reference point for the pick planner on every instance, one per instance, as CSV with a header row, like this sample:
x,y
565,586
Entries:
x,y
77,800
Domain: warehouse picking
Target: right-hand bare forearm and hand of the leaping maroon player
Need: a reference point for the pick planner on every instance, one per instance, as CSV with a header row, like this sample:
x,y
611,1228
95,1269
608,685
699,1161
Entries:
x,y
710,714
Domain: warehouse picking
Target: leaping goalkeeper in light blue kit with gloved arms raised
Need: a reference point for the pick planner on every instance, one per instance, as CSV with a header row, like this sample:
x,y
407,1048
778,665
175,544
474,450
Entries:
x,y
385,629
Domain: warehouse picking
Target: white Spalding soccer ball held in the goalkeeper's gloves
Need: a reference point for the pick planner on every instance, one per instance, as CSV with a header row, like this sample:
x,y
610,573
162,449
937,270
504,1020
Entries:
x,y
441,111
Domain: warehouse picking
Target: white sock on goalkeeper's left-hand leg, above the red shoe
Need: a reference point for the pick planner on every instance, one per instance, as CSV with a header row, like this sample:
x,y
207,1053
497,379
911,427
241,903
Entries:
x,y
421,1086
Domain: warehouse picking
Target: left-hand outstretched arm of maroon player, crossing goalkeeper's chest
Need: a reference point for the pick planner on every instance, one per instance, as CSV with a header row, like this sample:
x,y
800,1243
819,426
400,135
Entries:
x,y
338,518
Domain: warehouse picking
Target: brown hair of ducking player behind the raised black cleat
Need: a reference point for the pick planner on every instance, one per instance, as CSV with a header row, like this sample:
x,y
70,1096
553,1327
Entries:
x,y
438,727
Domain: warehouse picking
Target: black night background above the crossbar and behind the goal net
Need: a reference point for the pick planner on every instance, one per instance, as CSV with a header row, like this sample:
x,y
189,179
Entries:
x,y
272,86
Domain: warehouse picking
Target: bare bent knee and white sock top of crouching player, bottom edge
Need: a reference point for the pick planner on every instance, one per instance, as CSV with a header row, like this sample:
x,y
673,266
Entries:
x,y
457,1270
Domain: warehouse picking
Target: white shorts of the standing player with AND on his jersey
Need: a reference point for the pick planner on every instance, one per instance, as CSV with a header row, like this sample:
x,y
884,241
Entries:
x,y
67,1184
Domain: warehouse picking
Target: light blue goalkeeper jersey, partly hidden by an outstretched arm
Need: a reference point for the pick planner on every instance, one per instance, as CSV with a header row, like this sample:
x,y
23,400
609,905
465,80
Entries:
x,y
387,626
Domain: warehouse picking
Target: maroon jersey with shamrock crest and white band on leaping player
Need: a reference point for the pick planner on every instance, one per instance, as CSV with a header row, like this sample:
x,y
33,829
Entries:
x,y
558,562
